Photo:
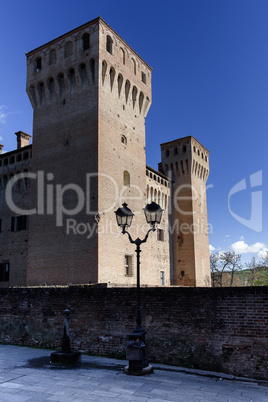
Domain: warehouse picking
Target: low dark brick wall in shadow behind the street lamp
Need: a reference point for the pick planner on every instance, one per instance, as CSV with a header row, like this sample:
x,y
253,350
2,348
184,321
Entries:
x,y
214,329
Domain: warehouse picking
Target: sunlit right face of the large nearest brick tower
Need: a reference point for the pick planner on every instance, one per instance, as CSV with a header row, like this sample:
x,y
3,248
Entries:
x,y
124,103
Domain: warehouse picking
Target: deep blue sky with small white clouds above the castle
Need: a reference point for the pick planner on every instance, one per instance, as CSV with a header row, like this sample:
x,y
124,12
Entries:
x,y
210,80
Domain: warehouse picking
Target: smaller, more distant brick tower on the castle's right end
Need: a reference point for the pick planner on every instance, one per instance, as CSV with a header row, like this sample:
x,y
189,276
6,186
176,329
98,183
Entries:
x,y
186,162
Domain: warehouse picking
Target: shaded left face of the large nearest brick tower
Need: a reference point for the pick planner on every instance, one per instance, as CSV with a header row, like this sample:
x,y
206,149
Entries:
x,y
64,94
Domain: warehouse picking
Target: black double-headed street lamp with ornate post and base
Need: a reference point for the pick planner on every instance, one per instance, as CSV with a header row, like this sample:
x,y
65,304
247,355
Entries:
x,y
138,363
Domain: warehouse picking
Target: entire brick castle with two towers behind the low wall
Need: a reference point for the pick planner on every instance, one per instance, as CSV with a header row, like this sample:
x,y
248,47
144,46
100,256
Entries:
x,y
90,93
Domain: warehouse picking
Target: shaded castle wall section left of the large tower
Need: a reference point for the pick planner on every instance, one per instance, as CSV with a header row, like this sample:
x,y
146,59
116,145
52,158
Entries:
x,y
14,240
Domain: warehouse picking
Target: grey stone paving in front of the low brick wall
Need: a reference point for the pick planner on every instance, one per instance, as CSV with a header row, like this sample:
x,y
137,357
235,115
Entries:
x,y
26,375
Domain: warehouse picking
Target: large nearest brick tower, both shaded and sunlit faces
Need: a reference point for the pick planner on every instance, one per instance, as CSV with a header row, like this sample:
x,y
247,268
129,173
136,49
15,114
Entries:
x,y
90,93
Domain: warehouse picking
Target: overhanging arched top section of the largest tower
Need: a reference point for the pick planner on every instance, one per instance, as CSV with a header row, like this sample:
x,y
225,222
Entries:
x,y
93,54
